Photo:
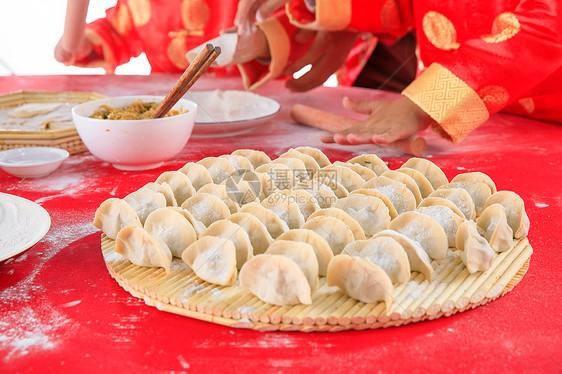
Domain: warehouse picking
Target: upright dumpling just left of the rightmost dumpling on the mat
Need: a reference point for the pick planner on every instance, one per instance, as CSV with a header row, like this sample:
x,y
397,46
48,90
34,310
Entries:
x,y
493,225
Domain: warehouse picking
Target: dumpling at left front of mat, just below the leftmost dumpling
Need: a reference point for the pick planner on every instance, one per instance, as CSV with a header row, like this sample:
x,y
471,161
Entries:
x,y
139,247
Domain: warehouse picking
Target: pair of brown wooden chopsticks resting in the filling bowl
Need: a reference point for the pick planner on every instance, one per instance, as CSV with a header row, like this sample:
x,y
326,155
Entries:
x,y
193,72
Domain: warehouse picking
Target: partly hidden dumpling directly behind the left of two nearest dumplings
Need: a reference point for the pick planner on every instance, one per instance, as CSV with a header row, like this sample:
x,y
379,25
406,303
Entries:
x,y
302,254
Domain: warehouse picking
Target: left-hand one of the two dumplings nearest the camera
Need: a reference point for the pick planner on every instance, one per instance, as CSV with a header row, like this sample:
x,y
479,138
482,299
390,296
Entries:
x,y
275,279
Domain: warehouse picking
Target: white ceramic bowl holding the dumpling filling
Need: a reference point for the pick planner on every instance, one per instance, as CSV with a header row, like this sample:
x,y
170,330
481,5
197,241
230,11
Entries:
x,y
134,144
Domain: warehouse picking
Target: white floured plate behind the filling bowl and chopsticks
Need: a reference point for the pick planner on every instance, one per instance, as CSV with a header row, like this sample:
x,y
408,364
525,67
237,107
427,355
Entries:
x,y
230,112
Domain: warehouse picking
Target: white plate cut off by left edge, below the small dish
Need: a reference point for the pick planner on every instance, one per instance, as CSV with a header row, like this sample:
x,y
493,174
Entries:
x,y
22,224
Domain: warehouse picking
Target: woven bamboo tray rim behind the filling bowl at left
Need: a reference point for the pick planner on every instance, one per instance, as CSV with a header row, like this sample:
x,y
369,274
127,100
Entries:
x,y
66,138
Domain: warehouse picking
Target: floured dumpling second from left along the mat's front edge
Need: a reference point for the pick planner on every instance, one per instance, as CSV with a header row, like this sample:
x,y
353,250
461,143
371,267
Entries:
x,y
212,259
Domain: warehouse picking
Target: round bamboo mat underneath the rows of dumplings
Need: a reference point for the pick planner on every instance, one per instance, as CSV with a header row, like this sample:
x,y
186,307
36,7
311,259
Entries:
x,y
451,290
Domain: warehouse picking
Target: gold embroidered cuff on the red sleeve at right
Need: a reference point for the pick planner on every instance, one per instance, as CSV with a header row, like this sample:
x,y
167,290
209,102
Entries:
x,y
450,101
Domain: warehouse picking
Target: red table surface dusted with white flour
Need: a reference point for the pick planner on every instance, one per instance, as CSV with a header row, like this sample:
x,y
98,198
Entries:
x,y
60,310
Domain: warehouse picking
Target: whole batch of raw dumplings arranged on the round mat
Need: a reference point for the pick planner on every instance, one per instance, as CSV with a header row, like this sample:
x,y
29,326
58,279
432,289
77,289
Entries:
x,y
275,227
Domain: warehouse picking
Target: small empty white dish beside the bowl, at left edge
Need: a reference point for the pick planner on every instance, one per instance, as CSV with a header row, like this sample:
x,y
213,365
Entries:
x,y
32,162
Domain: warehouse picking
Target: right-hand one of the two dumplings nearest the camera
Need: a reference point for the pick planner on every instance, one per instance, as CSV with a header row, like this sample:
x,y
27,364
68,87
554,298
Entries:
x,y
360,279
